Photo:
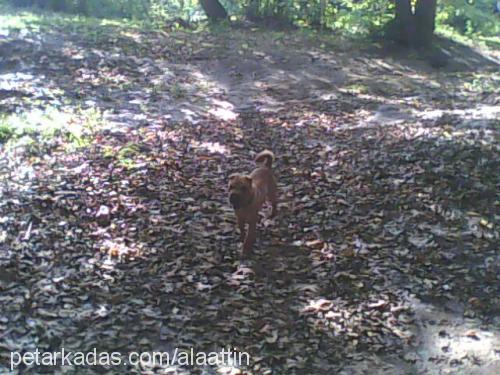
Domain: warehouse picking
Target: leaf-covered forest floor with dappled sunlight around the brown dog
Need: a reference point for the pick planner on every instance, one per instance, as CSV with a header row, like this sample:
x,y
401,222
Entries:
x,y
382,259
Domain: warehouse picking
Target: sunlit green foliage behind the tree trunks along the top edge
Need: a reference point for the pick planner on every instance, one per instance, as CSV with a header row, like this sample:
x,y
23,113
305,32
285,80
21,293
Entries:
x,y
468,17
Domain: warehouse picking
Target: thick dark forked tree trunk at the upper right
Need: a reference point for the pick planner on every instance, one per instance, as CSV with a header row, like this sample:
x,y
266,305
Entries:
x,y
414,27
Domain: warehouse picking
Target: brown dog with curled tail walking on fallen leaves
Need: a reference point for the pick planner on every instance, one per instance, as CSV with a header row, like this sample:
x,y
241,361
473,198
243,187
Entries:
x,y
247,194
